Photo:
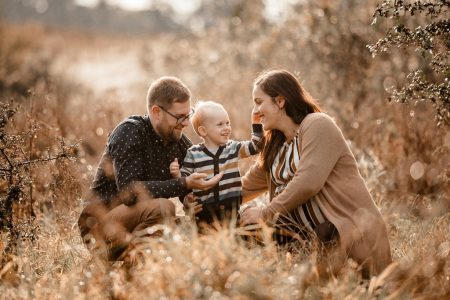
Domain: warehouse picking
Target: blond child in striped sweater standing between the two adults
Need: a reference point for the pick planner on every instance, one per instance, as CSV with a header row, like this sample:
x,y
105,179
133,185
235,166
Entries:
x,y
217,154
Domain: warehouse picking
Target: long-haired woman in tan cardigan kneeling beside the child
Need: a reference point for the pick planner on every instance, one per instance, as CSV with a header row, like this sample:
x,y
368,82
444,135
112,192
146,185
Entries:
x,y
311,175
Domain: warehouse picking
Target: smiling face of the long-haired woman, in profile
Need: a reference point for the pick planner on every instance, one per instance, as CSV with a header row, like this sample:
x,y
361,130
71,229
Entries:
x,y
267,110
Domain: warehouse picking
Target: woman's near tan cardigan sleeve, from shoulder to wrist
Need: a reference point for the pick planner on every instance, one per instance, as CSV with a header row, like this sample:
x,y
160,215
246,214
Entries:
x,y
322,145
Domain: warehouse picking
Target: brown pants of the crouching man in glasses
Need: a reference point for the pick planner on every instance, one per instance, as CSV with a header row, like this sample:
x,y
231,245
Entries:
x,y
108,232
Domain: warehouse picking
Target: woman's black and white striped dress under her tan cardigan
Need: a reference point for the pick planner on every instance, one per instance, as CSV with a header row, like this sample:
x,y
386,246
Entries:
x,y
307,216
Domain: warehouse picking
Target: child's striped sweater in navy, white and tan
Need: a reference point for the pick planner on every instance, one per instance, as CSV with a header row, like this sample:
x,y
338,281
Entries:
x,y
200,160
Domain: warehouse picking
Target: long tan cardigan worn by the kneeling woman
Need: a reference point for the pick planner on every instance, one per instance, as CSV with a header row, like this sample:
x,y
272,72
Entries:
x,y
328,172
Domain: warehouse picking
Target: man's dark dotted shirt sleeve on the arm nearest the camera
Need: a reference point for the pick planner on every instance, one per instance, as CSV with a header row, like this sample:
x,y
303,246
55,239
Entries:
x,y
127,151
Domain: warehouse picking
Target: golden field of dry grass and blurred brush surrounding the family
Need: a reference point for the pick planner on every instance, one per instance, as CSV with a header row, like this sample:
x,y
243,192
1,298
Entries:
x,y
78,86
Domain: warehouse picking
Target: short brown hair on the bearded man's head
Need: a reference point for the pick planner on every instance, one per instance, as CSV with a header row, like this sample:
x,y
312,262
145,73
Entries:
x,y
167,90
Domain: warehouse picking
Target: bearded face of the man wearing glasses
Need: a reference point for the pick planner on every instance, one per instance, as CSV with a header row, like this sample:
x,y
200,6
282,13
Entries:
x,y
172,120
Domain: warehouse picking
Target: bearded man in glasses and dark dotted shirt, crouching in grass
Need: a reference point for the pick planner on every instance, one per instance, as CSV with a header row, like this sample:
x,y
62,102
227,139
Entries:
x,y
133,181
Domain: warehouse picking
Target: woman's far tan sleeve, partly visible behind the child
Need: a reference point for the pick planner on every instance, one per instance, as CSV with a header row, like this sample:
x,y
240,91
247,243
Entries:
x,y
254,182
